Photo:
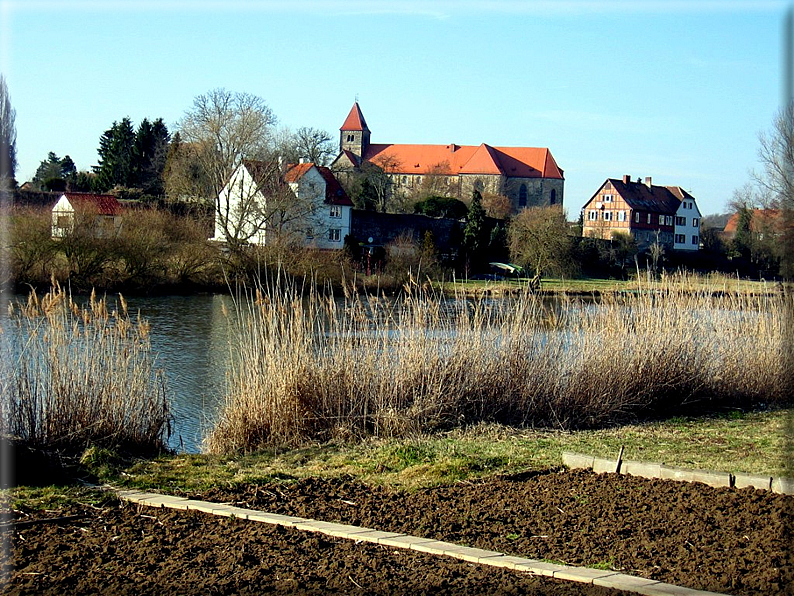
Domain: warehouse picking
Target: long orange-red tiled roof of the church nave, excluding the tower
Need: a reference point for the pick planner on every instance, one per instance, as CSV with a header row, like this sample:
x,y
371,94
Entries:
x,y
452,160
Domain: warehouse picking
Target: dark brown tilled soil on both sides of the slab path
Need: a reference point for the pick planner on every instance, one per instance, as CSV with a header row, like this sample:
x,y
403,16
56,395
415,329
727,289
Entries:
x,y
723,540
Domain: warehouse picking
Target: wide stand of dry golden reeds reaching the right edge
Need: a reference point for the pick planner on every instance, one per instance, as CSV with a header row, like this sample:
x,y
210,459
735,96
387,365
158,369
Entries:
x,y
315,368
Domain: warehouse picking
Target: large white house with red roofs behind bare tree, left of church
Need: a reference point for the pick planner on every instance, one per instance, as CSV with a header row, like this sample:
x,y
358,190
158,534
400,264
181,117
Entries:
x,y
263,202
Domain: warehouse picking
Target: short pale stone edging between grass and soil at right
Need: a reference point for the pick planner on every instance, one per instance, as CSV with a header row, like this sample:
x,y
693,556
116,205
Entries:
x,y
658,470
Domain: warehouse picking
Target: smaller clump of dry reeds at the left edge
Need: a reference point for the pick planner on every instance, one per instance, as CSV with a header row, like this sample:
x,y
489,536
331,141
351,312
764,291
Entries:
x,y
78,376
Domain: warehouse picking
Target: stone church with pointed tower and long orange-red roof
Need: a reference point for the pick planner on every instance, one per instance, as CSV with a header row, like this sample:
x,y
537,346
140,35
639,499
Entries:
x,y
527,176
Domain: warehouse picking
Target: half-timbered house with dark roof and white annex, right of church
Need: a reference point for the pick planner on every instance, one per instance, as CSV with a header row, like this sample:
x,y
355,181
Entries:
x,y
668,215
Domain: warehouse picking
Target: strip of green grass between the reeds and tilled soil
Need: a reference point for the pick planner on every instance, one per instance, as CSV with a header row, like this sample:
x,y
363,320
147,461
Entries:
x,y
753,442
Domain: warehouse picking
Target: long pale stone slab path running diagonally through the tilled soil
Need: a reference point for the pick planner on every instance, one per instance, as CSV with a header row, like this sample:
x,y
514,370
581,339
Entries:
x,y
608,579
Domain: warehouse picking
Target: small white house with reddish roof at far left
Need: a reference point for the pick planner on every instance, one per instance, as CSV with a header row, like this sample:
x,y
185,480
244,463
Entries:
x,y
99,215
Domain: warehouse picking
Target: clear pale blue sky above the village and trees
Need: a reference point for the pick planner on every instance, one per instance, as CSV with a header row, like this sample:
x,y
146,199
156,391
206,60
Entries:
x,y
675,90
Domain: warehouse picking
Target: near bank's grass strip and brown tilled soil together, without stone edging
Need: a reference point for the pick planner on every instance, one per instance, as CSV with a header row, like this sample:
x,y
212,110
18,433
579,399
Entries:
x,y
489,487
